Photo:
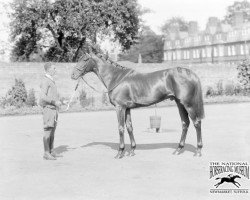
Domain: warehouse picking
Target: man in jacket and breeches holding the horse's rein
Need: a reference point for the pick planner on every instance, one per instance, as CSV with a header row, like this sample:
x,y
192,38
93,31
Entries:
x,y
49,100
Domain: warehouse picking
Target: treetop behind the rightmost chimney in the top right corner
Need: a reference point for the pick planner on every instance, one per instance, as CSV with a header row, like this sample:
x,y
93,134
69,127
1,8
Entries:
x,y
243,6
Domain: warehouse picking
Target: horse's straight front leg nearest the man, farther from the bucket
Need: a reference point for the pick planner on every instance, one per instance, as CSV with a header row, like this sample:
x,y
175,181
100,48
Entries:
x,y
120,111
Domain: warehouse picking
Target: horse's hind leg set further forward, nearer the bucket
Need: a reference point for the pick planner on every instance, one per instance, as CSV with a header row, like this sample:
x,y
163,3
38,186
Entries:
x,y
185,124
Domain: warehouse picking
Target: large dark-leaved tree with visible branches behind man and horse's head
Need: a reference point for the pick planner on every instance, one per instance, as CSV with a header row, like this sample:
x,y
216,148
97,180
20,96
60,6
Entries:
x,y
62,27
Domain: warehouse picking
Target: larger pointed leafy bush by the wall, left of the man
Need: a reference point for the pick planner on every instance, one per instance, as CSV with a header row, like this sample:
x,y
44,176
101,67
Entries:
x,y
17,95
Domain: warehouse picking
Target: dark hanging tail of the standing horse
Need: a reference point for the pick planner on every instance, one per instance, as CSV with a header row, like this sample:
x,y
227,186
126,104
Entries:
x,y
198,101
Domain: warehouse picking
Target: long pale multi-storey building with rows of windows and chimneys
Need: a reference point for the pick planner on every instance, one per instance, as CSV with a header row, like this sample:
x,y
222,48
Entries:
x,y
219,42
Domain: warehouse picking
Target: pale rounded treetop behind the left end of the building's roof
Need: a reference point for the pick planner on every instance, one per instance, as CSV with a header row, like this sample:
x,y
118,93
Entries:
x,y
174,24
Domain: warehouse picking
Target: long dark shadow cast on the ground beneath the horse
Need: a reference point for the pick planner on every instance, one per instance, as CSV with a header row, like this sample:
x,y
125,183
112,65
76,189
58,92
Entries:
x,y
115,146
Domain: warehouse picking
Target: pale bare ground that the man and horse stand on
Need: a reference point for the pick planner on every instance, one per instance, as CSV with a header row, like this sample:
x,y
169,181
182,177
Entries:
x,y
87,143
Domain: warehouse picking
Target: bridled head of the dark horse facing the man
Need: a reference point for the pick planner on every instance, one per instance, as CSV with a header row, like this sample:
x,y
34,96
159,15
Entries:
x,y
85,65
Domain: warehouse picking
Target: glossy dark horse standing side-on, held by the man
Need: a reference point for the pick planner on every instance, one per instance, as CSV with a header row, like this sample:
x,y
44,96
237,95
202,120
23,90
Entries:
x,y
130,89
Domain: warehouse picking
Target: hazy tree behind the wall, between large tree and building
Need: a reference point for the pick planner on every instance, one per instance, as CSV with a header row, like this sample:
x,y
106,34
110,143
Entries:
x,y
149,45
